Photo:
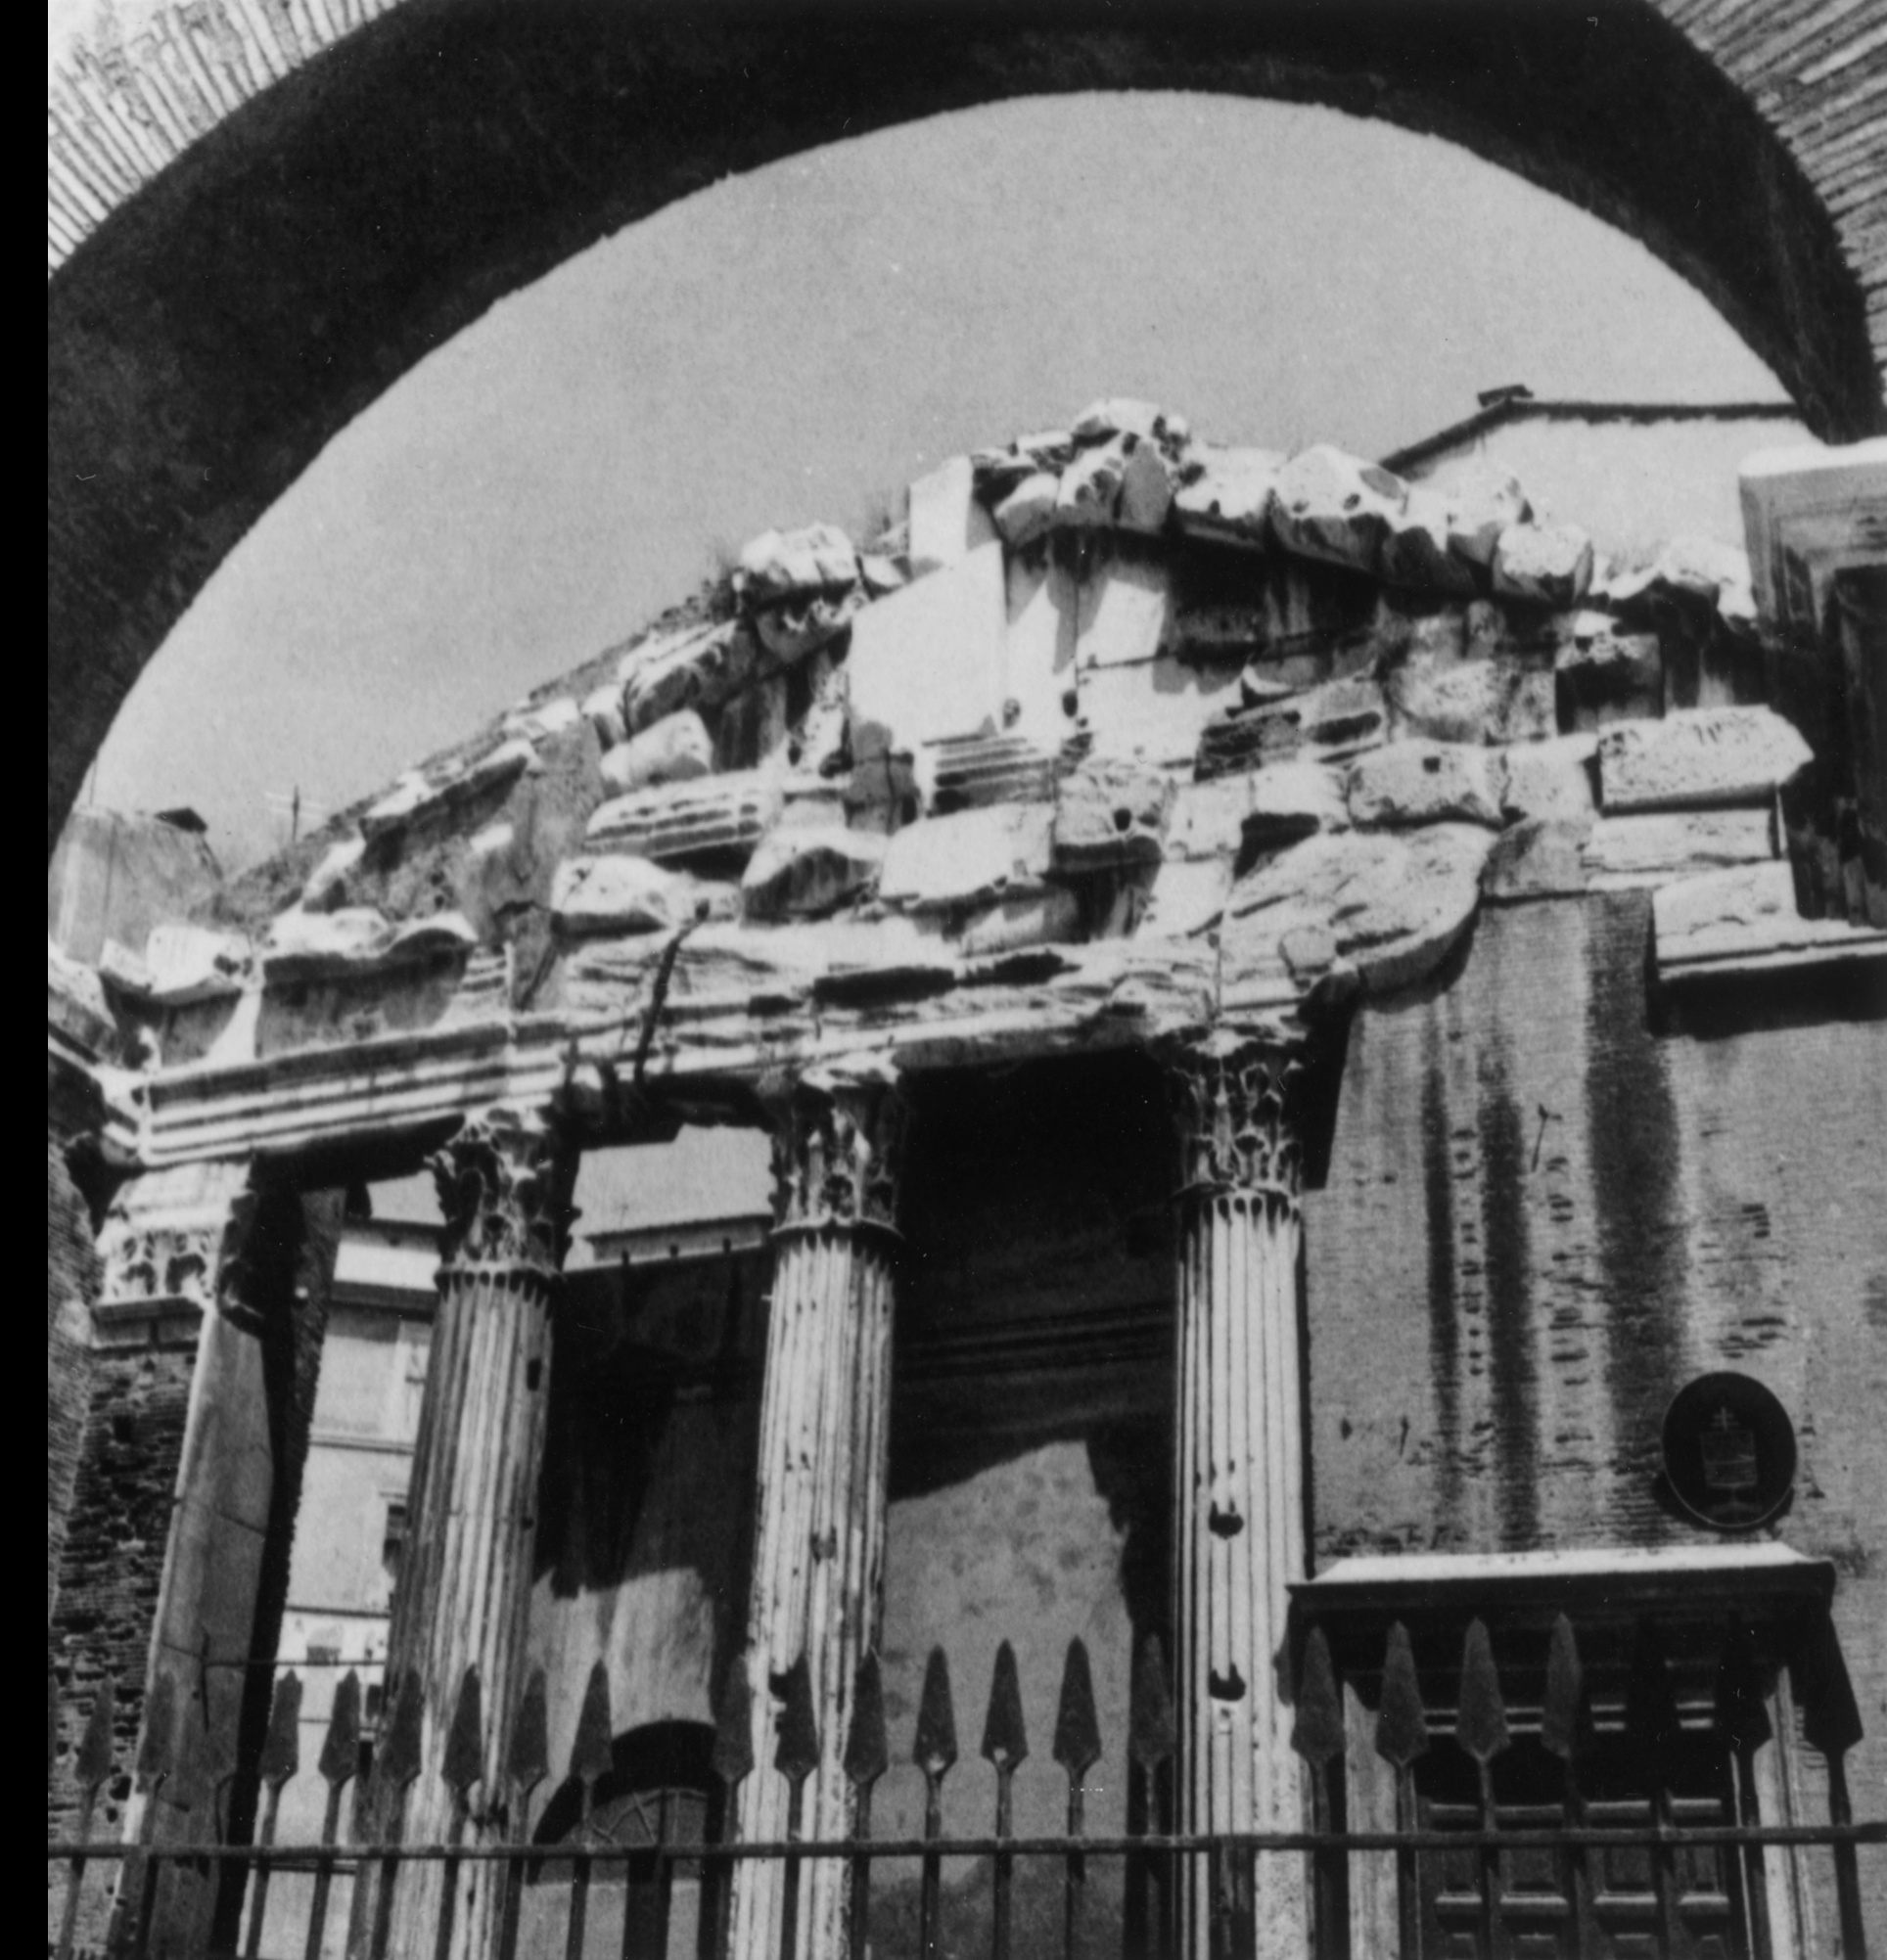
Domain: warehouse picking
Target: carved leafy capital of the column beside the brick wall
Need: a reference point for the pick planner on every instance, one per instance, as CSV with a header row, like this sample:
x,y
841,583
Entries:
x,y
1237,1101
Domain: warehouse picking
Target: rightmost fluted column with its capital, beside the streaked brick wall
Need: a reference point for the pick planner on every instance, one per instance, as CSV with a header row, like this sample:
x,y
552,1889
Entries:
x,y
1239,1481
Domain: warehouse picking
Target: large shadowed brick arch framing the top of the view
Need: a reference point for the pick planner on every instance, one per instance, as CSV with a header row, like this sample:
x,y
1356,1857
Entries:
x,y
254,234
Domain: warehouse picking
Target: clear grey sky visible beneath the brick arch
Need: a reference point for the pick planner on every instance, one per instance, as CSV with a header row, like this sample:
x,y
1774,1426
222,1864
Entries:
x,y
800,342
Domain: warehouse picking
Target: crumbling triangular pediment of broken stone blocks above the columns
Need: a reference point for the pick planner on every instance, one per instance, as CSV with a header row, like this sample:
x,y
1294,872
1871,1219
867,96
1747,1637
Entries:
x,y
1108,683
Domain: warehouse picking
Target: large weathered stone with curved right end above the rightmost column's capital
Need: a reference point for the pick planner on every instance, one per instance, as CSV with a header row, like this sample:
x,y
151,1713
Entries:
x,y
1390,906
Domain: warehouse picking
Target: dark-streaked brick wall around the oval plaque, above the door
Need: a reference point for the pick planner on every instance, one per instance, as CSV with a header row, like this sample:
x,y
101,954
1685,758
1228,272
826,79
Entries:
x,y
1545,1216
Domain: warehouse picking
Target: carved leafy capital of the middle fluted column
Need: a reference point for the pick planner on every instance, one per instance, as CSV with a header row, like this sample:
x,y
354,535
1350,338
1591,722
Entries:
x,y
840,1151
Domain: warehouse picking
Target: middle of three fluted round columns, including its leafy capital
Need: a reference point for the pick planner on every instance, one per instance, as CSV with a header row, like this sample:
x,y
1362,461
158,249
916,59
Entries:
x,y
818,1581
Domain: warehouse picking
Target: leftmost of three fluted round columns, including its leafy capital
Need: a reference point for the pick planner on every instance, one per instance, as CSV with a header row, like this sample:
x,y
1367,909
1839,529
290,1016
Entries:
x,y
465,1585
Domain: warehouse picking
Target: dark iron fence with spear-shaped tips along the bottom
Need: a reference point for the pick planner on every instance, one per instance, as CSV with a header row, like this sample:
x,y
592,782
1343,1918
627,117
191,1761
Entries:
x,y
575,1863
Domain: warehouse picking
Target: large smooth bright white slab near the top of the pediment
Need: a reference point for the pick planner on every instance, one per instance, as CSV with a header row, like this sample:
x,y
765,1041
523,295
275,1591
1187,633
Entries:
x,y
930,661
